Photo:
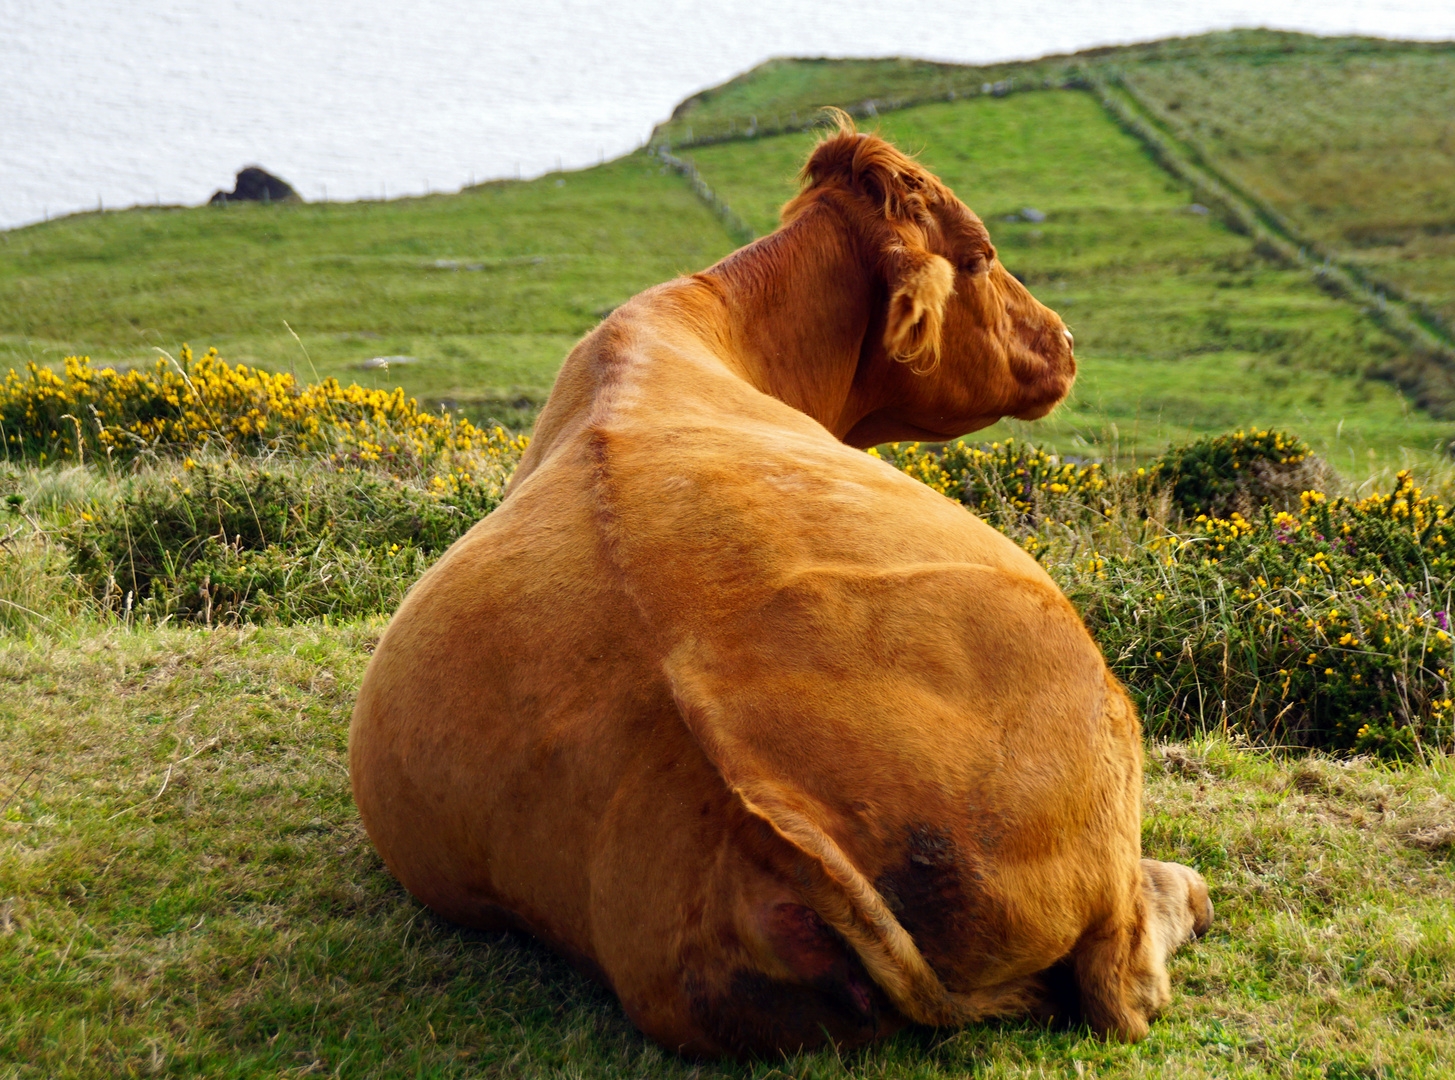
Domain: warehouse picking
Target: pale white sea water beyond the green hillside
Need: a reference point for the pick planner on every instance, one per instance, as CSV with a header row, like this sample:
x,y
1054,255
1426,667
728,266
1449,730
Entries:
x,y
123,103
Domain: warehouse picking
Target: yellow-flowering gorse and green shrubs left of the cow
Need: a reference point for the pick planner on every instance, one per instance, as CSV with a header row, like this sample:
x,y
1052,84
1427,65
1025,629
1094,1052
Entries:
x,y
311,500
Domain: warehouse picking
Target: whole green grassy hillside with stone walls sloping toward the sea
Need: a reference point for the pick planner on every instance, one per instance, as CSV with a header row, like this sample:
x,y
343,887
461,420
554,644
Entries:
x,y
1184,327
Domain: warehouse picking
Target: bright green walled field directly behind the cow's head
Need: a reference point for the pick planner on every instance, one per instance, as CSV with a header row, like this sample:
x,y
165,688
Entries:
x,y
1182,327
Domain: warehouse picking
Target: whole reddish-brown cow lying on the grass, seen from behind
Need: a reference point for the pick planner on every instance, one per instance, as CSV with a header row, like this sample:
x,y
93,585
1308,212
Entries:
x,y
772,739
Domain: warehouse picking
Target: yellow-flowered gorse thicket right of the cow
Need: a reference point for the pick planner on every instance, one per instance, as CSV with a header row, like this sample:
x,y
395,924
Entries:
x,y
1227,595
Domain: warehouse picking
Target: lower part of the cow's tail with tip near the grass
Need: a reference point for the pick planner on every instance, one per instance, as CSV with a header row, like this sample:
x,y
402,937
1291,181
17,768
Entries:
x,y
848,902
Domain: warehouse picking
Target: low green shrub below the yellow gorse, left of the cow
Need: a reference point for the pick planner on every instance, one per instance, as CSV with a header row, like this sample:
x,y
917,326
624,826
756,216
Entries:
x,y
247,541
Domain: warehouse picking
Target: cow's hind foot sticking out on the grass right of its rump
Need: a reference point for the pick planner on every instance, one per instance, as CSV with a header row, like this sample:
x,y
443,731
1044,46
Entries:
x,y
1121,966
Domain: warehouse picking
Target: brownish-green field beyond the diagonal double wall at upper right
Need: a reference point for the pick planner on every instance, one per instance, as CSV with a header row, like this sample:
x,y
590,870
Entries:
x,y
1357,154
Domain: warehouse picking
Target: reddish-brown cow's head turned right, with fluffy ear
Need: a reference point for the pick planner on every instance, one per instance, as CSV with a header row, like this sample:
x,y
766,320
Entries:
x,y
960,343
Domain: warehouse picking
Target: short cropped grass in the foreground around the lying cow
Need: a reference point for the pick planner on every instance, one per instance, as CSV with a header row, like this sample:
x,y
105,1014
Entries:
x,y
186,890
